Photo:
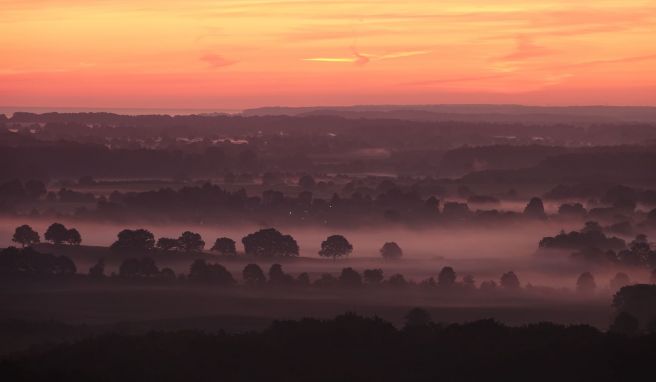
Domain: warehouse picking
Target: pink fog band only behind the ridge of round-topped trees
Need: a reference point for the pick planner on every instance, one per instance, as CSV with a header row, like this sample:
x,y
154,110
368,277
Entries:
x,y
517,240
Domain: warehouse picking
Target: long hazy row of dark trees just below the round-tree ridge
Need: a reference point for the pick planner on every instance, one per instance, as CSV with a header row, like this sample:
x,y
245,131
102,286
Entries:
x,y
27,263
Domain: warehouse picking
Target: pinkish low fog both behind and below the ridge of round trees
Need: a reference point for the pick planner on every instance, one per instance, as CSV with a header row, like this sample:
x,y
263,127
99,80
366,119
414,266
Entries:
x,y
484,253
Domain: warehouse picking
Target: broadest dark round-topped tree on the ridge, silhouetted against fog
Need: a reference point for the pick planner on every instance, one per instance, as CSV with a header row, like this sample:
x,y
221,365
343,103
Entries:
x,y
270,243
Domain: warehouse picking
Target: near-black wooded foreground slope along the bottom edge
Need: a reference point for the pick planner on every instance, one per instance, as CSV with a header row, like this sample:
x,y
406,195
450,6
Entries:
x,y
348,348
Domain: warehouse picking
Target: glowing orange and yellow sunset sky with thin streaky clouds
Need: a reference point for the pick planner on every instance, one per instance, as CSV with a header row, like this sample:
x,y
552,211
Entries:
x,y
234,54
